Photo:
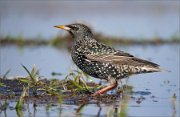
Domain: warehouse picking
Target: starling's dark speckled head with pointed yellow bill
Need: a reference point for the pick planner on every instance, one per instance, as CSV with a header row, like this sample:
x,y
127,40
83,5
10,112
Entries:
x,y
76,29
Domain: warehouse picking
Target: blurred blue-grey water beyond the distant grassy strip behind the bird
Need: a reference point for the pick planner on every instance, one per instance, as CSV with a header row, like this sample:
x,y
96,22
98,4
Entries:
x,y
135,19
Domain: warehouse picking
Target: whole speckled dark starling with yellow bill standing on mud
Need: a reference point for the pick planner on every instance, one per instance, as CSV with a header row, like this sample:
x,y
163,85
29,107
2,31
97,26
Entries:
x,y
101,61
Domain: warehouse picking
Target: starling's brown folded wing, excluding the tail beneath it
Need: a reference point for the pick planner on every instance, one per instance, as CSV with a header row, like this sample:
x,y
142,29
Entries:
x,y
116,59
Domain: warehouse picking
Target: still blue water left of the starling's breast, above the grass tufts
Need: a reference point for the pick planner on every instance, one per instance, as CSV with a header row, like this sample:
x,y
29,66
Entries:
x,y
46,58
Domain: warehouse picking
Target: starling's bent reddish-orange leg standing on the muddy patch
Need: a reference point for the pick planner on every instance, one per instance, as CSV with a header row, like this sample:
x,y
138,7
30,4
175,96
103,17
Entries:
x,y
113,84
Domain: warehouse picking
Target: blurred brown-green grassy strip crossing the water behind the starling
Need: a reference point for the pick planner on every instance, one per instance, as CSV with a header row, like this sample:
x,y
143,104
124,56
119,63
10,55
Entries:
x,y
66,41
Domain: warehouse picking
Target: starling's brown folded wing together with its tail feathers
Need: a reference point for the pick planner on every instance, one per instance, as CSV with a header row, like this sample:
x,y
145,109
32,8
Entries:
x,y
131,61
